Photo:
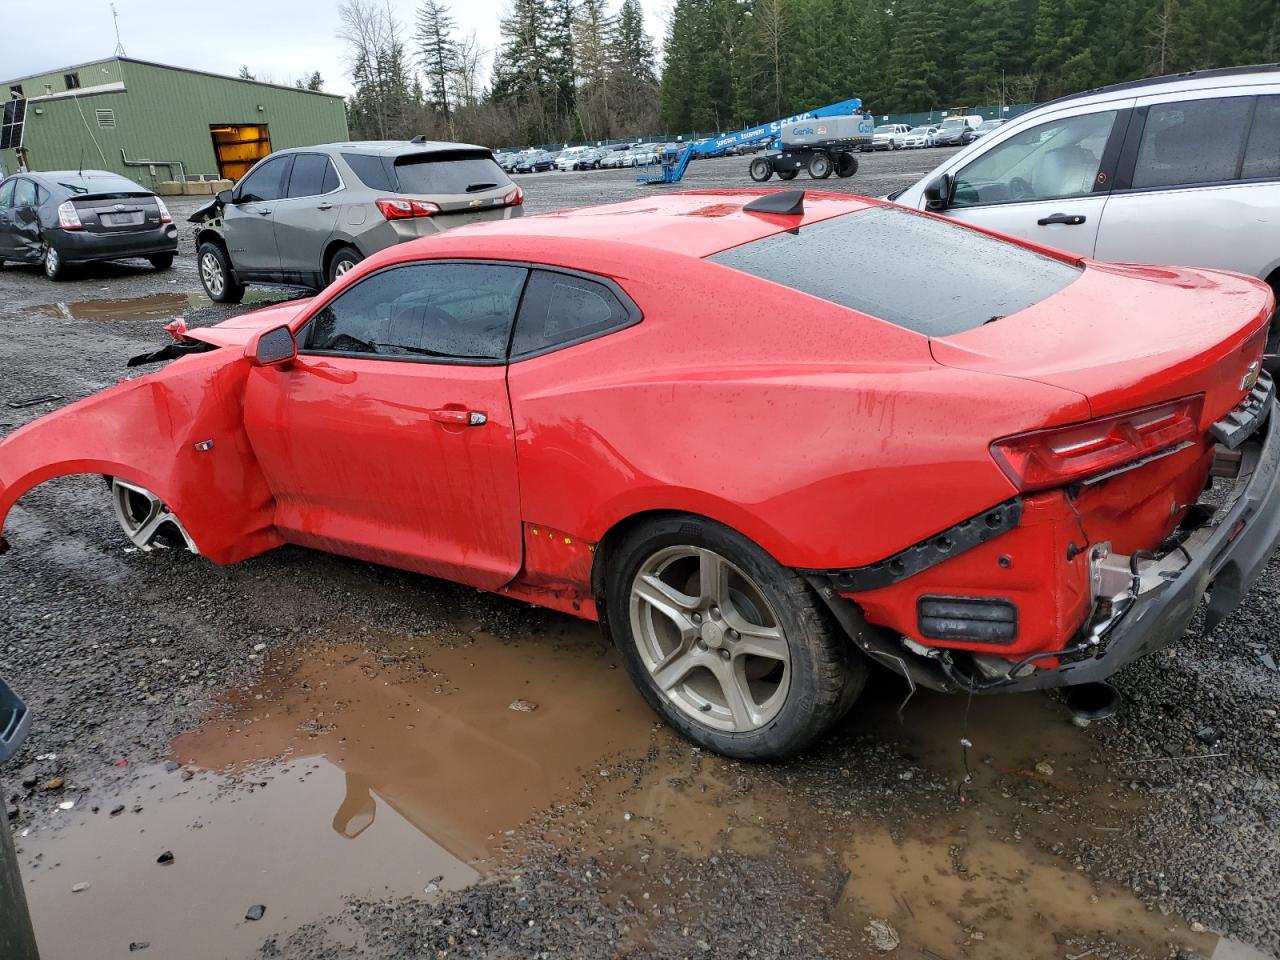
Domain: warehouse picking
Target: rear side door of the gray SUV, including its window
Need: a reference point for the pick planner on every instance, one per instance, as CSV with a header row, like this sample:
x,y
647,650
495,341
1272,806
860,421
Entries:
x,y
305,217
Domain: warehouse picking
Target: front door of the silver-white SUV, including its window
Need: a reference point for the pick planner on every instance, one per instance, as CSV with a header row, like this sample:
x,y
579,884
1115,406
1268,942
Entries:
x,y
1048,182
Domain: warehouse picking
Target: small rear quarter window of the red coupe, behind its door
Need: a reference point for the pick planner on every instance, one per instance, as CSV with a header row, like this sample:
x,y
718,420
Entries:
x,y
563,309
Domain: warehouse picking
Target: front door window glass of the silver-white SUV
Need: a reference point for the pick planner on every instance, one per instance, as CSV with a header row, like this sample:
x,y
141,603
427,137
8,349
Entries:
x,y
1052,161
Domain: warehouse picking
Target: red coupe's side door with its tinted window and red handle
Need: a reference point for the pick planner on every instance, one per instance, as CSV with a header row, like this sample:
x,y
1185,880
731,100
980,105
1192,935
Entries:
x,y
390,438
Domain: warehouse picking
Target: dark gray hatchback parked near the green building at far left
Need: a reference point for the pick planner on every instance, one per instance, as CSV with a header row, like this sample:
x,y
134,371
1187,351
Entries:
x,y
68,217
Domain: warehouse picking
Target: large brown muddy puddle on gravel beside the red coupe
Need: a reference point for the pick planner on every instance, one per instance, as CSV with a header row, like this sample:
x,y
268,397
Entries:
x,y
415,766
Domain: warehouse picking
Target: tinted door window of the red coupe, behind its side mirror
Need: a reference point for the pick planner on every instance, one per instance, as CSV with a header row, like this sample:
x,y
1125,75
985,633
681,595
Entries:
x,y
454,312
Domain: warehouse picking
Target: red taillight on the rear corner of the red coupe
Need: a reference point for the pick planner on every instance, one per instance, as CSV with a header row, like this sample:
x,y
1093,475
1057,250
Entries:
x,y
1066,455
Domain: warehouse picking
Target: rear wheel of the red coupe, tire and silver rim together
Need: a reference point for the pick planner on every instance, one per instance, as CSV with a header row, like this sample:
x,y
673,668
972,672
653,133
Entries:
x,y
732,648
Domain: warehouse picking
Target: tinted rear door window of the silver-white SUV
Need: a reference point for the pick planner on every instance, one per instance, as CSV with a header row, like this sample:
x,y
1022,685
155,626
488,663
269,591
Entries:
x,y
1192,141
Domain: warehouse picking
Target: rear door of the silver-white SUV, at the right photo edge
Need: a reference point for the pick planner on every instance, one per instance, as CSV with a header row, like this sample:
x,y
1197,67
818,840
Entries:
x,y
1199,184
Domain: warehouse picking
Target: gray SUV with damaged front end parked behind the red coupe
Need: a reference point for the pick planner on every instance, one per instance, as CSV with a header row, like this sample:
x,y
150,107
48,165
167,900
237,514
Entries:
x,y
305,216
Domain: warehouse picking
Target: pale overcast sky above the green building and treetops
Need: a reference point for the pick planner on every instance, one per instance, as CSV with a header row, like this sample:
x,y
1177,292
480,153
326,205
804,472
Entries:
x,y
280,40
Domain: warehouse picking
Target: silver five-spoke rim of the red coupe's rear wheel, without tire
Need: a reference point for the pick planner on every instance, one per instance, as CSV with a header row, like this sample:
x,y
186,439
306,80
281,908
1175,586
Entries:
x,y
710,639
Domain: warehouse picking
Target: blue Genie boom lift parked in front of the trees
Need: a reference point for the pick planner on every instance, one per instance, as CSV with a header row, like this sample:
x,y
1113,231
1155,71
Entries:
x,y
822,148
